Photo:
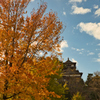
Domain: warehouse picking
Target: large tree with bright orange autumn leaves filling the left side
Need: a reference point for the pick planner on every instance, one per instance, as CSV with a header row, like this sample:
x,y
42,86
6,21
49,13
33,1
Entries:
x,y
21,41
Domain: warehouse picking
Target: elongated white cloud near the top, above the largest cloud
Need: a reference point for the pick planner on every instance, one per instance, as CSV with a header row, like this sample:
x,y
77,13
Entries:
x,y
80,10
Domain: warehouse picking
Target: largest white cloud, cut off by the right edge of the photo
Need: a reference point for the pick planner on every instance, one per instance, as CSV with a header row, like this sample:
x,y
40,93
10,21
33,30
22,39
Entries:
x,y
92,29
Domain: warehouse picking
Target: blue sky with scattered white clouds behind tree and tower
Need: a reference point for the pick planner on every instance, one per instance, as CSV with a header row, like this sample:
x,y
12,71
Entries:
x,y
82,33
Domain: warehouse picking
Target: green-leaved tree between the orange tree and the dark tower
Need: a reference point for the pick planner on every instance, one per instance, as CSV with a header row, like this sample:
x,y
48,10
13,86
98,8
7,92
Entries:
x,y
56,87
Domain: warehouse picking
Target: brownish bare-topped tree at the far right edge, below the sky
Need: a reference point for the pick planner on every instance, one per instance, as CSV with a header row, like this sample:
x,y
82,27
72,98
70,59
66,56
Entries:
x,y
93,86
